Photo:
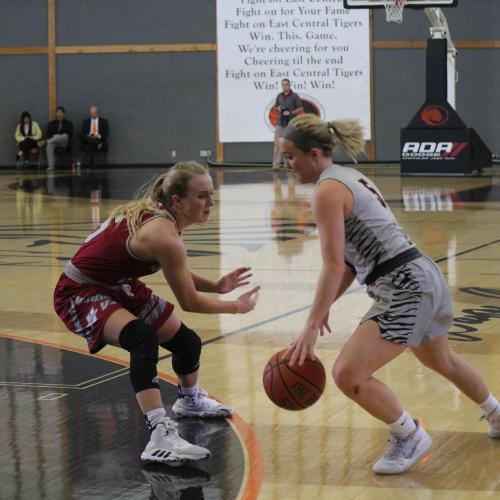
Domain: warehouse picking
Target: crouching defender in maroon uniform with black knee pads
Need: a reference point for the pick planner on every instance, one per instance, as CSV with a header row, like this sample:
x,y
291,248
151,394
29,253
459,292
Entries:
x,y
100,297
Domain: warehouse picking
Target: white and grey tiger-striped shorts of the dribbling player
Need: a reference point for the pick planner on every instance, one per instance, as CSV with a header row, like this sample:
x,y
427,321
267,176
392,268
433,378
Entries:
x,y
412,303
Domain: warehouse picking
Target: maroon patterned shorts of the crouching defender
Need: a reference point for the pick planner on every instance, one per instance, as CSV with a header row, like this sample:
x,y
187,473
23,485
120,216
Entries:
x,y
84,308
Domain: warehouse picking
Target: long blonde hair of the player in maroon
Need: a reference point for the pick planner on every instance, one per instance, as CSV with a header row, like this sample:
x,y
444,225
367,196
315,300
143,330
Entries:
x,y
150,197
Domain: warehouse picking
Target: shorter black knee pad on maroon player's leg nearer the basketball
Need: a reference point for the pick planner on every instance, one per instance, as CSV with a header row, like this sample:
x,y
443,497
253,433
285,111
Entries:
x,y
185,347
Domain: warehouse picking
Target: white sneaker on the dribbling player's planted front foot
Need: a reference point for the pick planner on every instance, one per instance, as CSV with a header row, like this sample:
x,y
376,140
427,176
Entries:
x,y
402,454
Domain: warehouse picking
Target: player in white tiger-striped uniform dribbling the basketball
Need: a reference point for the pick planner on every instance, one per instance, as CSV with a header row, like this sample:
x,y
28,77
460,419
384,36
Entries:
x,y
360,238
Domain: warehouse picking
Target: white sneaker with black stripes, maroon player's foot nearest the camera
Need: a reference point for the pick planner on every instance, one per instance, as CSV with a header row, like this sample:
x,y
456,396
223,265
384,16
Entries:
x,y
165,445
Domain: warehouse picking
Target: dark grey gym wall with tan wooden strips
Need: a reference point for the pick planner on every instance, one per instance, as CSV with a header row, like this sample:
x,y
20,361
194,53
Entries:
x,y
150,67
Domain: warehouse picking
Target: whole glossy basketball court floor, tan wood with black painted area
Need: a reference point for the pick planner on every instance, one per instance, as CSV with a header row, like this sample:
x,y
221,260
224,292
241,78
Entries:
x,y
70,428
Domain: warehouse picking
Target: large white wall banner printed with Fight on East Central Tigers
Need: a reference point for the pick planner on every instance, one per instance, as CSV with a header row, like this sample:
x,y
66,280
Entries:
x,y
321,47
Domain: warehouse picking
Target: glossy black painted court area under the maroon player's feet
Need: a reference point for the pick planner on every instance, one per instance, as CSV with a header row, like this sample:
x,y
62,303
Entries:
x,y
72,430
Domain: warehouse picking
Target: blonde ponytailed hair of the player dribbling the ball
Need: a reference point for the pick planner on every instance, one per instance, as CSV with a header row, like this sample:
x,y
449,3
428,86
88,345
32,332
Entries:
x,y
327,135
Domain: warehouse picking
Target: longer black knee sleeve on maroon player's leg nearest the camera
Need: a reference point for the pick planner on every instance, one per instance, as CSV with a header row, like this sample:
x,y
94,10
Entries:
x,y
141,341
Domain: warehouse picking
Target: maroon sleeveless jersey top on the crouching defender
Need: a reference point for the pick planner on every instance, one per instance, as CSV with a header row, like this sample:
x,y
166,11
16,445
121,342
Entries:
x,y
105,255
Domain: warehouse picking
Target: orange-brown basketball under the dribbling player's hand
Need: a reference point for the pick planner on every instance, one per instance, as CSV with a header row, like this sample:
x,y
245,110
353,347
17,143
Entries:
x,y
293,387
